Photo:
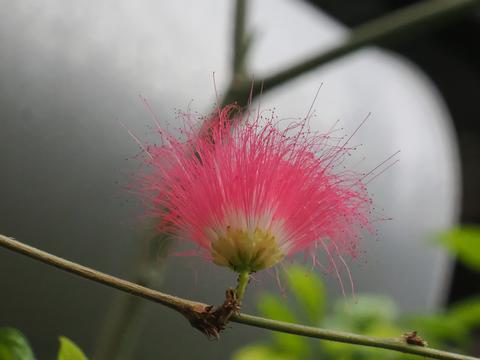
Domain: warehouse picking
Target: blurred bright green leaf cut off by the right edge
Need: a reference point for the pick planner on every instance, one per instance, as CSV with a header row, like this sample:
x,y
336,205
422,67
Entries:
x,y
464,242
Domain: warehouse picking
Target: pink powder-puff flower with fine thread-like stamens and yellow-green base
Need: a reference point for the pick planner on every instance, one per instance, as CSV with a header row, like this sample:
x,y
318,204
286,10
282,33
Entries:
x,y
249,194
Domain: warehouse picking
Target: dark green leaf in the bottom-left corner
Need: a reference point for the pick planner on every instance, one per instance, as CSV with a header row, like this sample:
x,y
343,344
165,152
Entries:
x,y
14,346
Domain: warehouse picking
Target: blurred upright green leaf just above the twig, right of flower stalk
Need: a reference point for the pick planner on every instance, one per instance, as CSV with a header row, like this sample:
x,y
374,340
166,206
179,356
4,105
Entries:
x,y
309,292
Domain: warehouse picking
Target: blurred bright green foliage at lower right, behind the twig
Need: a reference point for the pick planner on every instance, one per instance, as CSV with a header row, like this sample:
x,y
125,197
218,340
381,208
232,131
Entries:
x,y
367,314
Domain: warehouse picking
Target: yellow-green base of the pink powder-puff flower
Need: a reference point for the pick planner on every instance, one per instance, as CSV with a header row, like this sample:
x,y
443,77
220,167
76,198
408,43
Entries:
x,y
249,251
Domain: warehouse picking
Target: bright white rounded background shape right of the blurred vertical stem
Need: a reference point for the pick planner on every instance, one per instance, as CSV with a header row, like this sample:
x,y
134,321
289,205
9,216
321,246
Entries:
x,y
421,192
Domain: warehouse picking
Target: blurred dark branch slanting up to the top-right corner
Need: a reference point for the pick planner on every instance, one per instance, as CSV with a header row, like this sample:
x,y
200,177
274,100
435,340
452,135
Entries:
x,y
392,27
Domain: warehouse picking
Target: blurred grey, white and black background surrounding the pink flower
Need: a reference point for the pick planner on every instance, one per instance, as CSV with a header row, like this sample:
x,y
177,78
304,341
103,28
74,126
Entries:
x,y
69,71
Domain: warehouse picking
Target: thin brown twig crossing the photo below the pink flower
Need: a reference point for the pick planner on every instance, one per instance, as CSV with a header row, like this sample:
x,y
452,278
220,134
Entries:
x,y
187,307
